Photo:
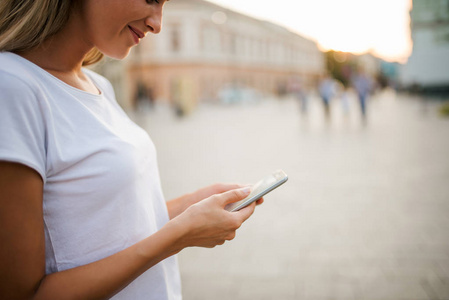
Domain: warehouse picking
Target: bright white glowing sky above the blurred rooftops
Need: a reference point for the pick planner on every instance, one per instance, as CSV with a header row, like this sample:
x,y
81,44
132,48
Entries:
x,y
381,27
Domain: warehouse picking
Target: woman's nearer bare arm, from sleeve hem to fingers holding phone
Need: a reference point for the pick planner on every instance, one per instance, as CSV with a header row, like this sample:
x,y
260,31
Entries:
x,y
22,254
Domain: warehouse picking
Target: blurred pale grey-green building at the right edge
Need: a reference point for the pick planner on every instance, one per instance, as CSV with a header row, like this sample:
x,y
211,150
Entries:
x,y
428,66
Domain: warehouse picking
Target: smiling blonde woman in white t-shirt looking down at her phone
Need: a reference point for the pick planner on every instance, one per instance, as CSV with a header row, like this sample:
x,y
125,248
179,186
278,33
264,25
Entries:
x,y
82,214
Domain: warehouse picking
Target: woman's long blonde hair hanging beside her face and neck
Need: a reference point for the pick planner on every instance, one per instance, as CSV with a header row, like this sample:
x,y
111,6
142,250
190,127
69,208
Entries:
x,y
25,24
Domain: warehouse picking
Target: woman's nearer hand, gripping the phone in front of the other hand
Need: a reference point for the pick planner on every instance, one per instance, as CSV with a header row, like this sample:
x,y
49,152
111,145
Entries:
x,y
208,224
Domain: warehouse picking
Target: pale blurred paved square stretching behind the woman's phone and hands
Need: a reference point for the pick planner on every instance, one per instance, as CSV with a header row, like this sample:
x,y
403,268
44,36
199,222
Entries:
x,y
364,215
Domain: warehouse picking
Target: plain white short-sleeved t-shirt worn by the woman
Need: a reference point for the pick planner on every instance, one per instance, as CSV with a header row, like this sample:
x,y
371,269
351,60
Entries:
x,y
102,190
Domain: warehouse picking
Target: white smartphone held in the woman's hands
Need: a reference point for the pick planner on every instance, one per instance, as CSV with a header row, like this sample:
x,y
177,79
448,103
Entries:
x,y
262,187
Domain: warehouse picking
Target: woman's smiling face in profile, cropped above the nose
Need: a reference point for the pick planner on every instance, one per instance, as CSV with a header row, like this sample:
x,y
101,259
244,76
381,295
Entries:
x,y
114,26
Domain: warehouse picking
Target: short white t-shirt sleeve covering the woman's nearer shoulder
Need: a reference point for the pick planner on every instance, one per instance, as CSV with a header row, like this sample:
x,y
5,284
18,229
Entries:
x,y
22,128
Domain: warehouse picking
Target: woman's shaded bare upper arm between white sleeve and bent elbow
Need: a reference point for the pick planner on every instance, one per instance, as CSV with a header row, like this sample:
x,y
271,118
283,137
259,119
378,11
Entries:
x,y
22,251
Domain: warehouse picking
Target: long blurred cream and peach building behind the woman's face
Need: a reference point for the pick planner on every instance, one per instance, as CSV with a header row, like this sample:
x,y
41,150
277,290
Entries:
x,y
208,53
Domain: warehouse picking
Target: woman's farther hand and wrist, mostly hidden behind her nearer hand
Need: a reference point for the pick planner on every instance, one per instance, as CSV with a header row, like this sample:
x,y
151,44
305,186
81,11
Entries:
x,y
179,205
